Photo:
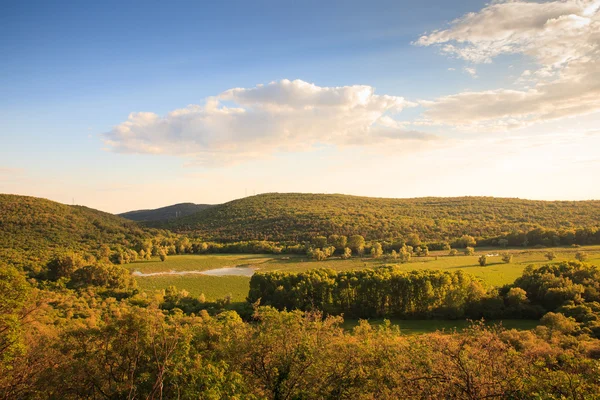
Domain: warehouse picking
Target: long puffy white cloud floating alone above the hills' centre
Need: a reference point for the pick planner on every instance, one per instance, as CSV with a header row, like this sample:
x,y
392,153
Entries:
x,y
245,123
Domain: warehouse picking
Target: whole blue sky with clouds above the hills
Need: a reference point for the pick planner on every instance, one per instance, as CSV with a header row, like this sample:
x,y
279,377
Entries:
x,y
122,105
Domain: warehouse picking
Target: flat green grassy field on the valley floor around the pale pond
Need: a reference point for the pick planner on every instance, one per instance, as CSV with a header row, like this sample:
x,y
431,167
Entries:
x,y
496,273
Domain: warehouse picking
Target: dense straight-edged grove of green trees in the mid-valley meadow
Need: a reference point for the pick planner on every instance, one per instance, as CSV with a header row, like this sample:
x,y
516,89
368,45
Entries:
x,y
385,291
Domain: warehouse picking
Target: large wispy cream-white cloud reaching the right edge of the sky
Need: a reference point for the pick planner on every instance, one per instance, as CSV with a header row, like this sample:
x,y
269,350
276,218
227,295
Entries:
x,y
562,37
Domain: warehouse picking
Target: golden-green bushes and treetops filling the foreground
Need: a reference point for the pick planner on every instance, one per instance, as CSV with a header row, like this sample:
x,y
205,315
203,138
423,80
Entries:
x,y
70,344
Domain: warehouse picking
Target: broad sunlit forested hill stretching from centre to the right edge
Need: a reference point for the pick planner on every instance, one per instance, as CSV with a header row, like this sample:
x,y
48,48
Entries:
x,y
294,216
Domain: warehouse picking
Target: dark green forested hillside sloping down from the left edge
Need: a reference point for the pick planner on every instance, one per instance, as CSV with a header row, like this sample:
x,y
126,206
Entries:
x,y
32,228
